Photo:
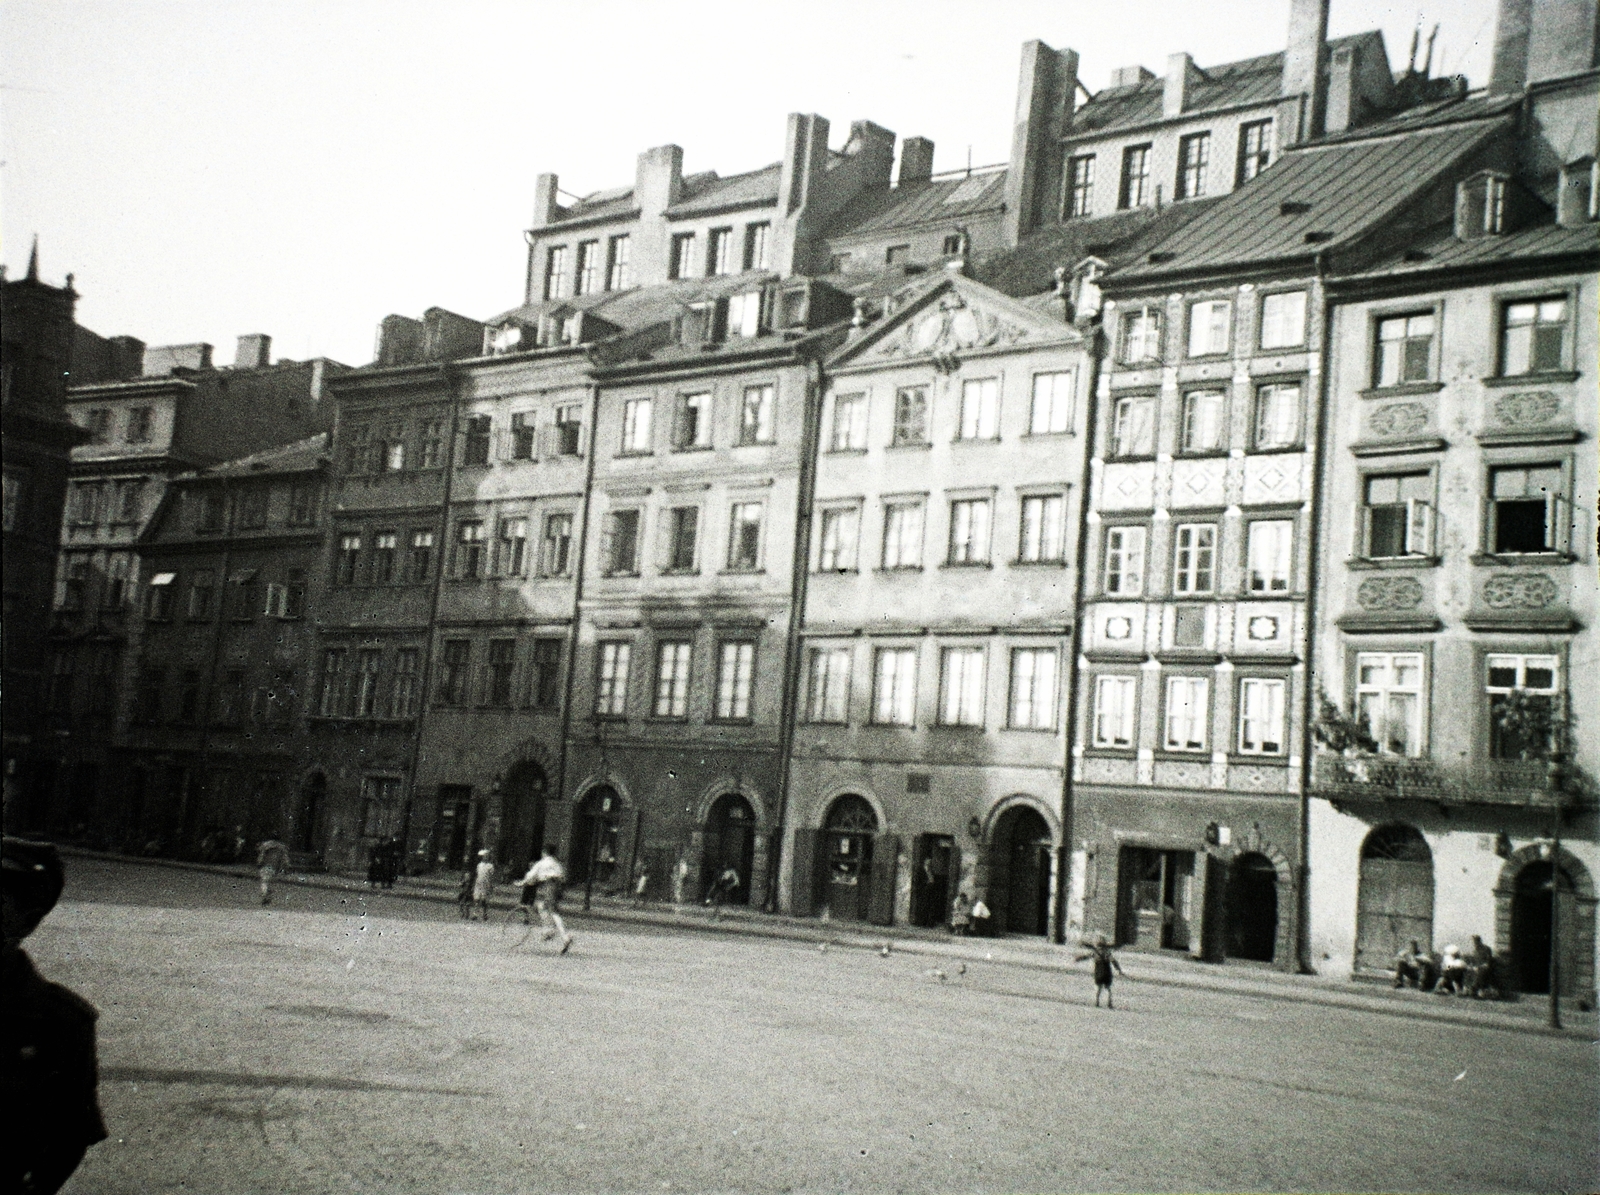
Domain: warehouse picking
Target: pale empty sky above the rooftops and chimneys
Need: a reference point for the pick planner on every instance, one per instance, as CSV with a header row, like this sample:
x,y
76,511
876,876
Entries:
x,y
303,170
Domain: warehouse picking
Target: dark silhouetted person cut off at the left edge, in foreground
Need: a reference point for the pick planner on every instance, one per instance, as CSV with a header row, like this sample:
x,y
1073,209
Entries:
x,y
50,1073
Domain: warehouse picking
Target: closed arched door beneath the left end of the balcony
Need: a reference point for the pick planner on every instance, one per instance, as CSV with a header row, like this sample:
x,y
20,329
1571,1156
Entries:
x,y
1394,903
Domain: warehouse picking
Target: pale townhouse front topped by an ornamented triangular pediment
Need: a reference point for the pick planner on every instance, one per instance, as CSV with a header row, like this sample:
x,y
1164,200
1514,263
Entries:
x,y
938,618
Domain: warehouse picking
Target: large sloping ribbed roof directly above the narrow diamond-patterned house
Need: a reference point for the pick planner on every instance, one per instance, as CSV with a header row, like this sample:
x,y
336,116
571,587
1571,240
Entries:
x,y
1316,199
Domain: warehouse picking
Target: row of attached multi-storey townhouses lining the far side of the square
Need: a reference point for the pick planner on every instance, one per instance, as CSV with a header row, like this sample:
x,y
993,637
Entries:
x,y
1230,596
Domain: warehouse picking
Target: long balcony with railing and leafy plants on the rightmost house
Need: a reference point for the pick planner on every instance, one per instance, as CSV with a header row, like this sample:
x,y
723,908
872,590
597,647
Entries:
x,y
1391,778
